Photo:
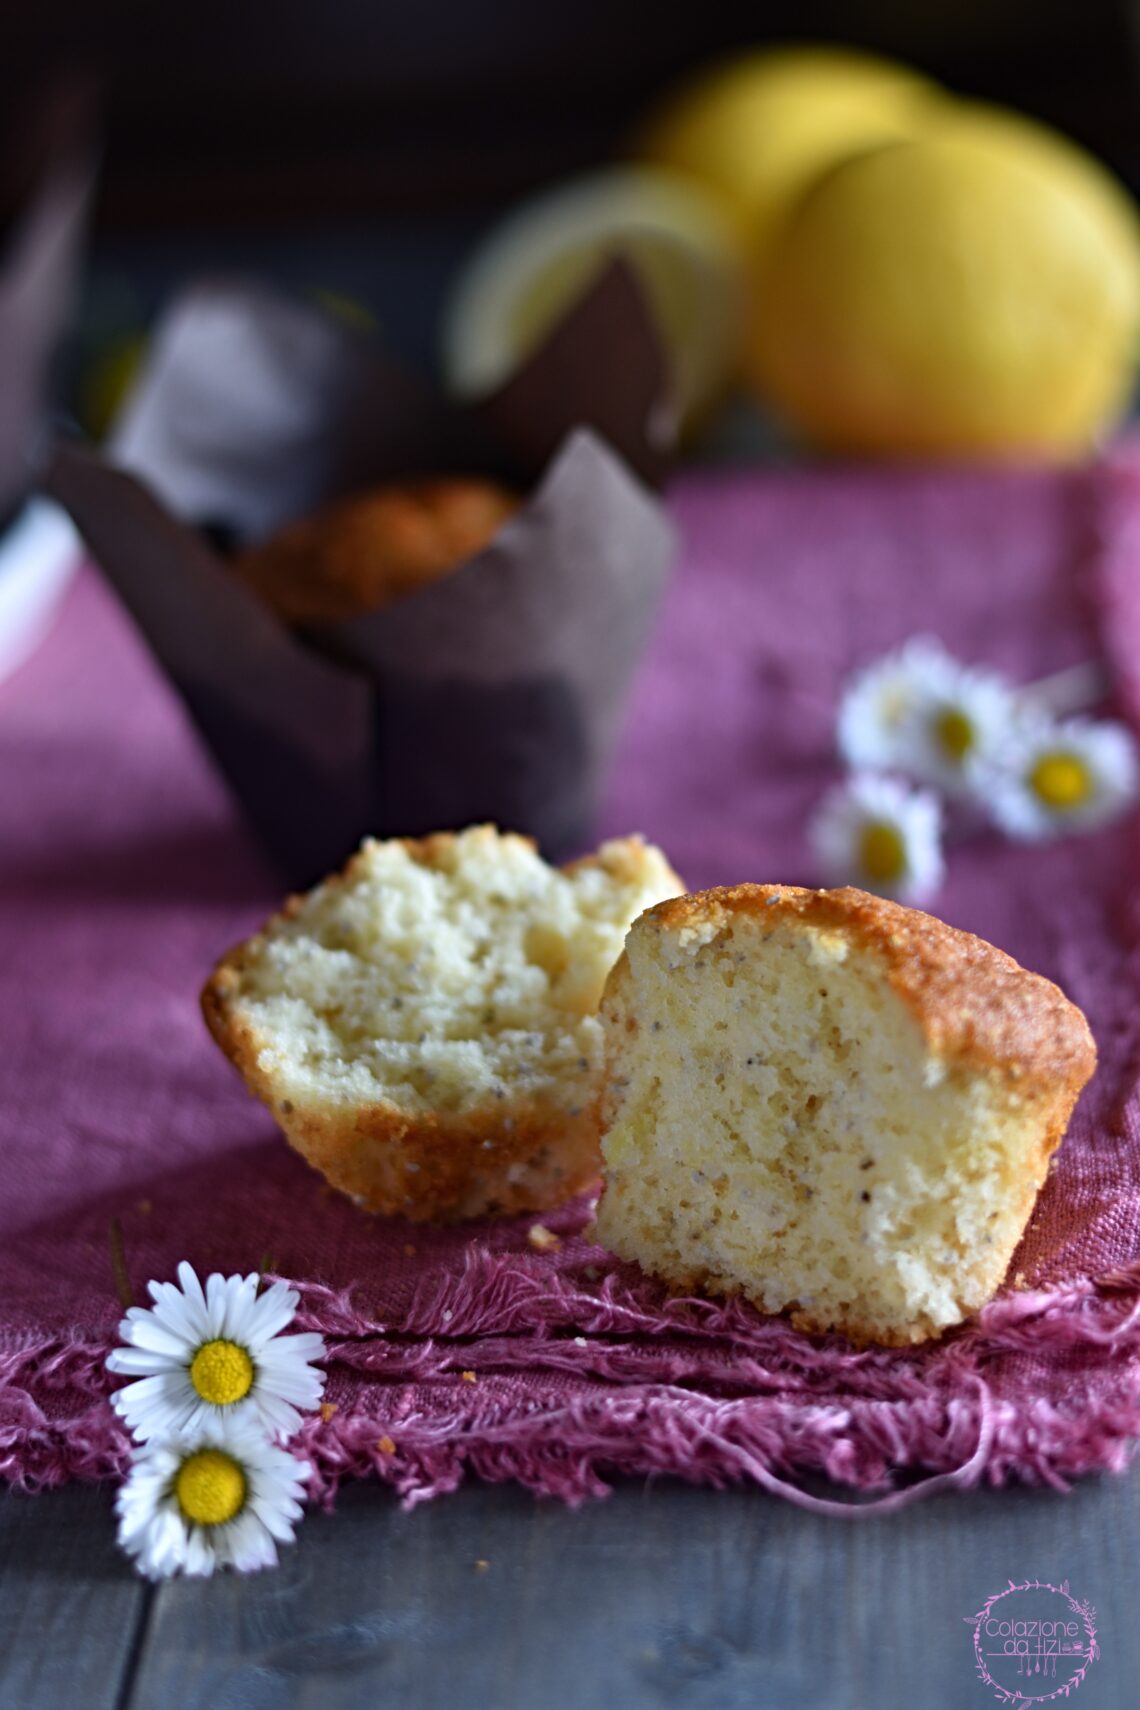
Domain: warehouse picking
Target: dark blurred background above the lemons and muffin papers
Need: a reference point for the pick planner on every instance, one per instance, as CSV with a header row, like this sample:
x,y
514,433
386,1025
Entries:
x,y
358,148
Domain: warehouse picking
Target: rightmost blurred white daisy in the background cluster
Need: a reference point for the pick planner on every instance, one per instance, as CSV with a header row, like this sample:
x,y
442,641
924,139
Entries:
x,y
1062,777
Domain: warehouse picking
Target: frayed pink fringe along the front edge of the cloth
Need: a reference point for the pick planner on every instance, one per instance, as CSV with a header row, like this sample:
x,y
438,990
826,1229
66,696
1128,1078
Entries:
x,y
886,1417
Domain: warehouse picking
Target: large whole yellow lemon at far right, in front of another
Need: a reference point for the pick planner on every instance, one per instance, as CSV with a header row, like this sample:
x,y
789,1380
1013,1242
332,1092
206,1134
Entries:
x,y
975,292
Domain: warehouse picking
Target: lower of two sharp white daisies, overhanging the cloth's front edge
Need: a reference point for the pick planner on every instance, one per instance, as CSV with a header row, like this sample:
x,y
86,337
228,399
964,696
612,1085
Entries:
x,y
221,1499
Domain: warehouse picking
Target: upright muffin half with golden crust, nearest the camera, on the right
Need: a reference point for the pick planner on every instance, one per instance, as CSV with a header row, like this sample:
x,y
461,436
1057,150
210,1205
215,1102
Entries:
x,y
830,1104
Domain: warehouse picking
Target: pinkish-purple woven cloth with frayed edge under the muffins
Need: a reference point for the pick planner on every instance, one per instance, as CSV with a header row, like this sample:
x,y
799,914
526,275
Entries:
x,y
124,873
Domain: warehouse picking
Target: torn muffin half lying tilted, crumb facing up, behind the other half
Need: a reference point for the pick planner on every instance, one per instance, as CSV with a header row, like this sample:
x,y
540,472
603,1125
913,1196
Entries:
x,y
425,1025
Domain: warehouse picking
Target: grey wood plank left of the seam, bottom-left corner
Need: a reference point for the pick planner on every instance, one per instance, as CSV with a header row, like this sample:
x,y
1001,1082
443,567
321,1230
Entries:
x,y
71,1608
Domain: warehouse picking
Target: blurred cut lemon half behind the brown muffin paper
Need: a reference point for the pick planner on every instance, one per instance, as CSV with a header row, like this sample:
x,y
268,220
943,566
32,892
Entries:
x,y
546,256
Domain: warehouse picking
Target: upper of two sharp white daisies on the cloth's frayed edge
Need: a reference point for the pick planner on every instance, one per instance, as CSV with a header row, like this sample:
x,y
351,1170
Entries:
x,y
213,1355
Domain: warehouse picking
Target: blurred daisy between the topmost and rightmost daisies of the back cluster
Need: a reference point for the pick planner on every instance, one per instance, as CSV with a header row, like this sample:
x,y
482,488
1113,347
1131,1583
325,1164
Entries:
x,y
960,719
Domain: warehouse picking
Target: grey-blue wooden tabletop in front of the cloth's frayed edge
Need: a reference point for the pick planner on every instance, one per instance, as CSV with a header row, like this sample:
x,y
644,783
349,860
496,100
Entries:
x,y
664,1596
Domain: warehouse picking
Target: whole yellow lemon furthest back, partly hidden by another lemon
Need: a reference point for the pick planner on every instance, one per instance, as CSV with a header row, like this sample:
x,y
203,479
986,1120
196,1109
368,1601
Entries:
x,y
760,129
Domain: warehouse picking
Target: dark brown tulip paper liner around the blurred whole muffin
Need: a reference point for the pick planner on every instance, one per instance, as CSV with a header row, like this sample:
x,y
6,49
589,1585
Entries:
x,y
493,693
